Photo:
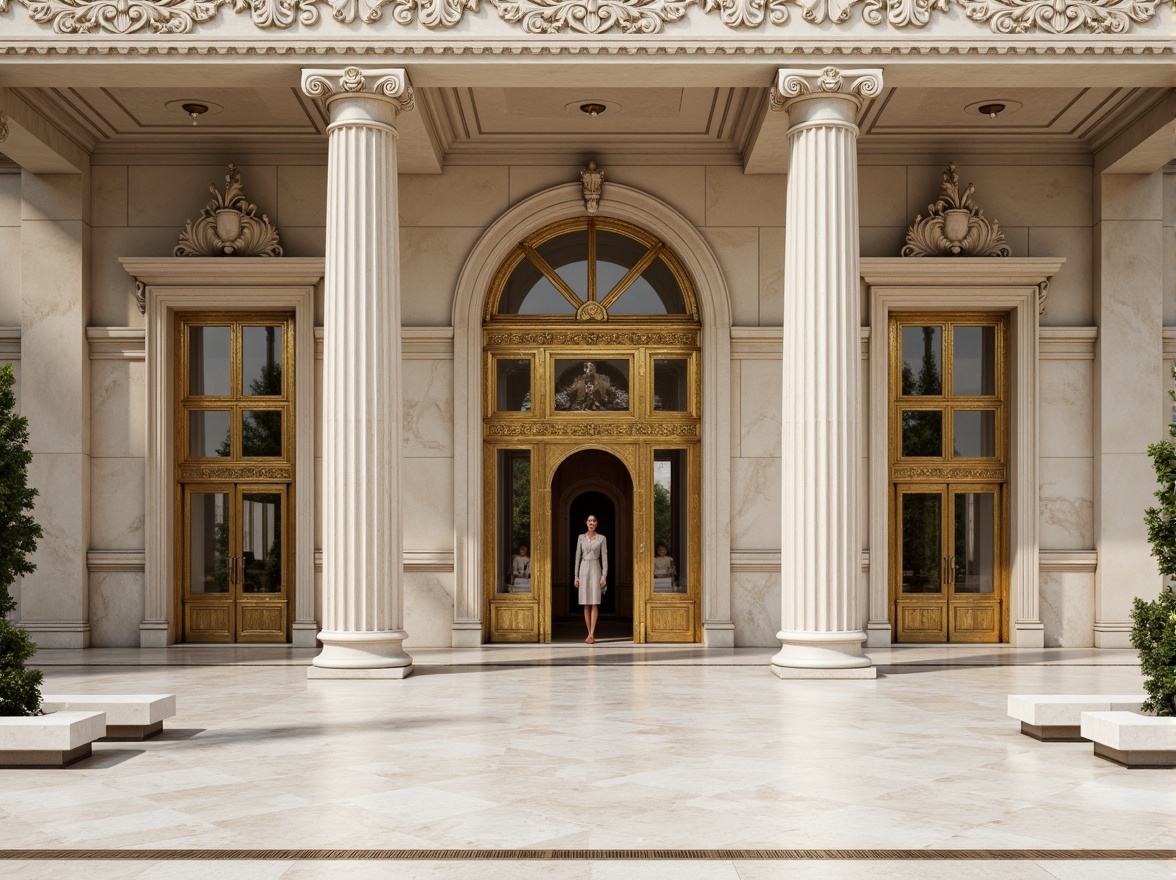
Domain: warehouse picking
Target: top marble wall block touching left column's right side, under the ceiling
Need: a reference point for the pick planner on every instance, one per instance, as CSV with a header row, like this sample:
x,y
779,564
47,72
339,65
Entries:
x,y
465,196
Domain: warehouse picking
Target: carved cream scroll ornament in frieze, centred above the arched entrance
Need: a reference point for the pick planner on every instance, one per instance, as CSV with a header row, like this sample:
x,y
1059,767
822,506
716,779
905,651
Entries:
x,y
592,17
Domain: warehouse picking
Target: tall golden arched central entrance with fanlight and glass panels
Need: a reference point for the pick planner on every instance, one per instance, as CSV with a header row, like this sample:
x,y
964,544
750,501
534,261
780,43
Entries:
x,y
592,348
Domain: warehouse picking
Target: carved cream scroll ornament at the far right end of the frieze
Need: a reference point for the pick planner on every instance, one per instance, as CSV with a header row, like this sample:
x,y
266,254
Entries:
x,y
1060,17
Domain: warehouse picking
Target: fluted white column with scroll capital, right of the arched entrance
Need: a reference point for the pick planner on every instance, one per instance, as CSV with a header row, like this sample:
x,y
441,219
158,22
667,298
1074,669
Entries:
x,y
821,630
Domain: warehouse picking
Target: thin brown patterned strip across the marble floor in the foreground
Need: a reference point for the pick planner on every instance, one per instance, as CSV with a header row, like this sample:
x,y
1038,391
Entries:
x,y
587,855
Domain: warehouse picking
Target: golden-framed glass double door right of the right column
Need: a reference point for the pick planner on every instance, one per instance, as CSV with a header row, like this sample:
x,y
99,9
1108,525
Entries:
x,y
948,474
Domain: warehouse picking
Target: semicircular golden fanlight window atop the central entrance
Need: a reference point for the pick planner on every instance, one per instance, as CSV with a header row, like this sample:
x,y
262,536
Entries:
x,y
592,270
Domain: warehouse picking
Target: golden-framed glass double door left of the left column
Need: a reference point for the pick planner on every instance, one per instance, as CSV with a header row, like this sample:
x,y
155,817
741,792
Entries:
x,y
235,477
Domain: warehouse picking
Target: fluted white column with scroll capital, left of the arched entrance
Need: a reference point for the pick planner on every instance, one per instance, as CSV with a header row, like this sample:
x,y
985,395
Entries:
x,y
363,601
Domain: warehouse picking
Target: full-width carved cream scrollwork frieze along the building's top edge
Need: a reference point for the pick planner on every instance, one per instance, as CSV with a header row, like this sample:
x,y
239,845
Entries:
x,y
545,22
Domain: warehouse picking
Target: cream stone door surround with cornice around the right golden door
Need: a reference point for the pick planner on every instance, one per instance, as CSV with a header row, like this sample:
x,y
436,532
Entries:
x,y
1017,286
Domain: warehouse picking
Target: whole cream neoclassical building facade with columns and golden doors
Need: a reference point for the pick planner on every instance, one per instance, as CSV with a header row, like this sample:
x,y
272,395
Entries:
x,y
851,322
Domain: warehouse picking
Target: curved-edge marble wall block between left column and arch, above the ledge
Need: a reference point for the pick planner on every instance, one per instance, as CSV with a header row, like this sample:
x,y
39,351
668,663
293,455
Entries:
x,y
432,261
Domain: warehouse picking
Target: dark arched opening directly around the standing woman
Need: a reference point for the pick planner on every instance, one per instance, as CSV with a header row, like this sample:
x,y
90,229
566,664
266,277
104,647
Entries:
x,y
592,483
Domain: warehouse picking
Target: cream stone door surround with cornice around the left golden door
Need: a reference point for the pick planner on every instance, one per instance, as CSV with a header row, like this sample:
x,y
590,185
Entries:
x,y
170,285
